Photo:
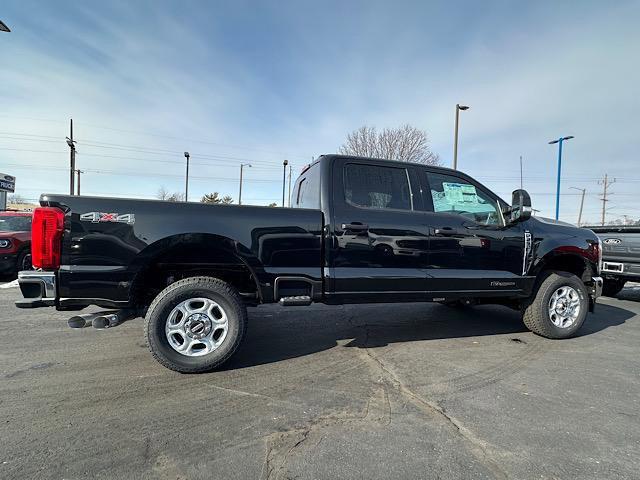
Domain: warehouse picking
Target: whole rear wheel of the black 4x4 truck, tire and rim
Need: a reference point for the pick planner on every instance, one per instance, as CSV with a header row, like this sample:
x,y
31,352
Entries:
x,y
196,324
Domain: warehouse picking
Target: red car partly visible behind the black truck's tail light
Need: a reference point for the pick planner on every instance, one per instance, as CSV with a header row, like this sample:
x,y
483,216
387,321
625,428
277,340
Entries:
x,y
15,241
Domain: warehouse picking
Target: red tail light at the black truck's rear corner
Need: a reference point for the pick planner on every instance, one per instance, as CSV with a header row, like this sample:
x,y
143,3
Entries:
x,y
46,237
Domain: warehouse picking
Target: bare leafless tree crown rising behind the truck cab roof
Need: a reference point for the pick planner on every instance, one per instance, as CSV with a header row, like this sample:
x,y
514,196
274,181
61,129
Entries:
x,y
405,143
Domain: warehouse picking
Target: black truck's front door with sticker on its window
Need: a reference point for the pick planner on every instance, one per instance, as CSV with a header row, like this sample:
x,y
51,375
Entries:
x,y
471,248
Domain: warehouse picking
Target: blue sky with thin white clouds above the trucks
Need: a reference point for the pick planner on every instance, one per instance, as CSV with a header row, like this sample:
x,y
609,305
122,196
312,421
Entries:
x,y
259,82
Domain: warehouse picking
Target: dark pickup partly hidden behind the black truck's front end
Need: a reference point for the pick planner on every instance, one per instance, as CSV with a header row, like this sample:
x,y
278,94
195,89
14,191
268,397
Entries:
x,y
620,256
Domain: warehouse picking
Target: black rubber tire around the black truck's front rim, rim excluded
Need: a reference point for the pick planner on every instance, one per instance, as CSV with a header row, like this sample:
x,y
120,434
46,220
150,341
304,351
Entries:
x,y
536,310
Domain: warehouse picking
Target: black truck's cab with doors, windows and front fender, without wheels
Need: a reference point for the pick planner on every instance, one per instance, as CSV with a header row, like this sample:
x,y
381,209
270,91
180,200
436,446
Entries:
x,y
398,231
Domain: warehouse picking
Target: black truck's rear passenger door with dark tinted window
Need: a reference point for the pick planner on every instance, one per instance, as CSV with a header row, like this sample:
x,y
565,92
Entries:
x,y
378,249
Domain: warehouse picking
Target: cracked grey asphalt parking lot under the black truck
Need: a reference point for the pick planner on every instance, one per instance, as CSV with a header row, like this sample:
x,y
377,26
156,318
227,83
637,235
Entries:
x,y
373,391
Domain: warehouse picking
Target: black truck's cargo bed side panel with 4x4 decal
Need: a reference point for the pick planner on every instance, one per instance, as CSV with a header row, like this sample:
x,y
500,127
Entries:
x,y
109,244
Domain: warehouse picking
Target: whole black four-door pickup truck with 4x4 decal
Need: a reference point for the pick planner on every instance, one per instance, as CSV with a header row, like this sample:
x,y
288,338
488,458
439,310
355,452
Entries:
x,y
361,230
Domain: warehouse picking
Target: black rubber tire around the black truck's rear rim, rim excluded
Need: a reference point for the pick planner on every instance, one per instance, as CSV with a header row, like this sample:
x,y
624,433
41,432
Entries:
x,y
195,287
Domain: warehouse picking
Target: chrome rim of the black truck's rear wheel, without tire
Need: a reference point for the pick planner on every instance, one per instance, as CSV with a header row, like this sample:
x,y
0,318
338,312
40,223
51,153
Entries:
x,y
196,327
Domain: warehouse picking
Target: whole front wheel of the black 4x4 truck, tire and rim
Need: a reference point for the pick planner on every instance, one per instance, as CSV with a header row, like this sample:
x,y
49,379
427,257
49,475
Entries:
x,y
559,306
